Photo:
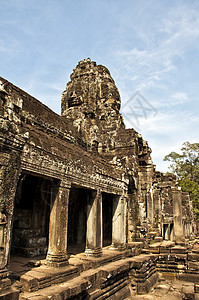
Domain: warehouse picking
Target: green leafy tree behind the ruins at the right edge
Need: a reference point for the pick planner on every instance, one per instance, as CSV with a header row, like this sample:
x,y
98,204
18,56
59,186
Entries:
x,y
186,167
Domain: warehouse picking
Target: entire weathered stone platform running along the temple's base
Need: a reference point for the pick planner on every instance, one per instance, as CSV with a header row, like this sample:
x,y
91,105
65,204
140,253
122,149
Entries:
x,y
114,275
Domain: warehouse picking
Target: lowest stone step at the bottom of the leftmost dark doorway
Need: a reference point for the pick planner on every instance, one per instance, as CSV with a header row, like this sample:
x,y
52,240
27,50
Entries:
x,y
30,252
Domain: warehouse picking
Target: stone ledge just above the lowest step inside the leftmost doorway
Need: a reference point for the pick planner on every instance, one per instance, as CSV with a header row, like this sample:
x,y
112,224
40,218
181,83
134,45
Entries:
x,y
30,241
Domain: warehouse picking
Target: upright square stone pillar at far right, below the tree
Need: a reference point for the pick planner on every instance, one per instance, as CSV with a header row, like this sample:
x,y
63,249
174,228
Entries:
x,y
177,215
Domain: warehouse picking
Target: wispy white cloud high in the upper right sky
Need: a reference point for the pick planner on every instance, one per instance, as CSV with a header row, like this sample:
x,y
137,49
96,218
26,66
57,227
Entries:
x,y
155,65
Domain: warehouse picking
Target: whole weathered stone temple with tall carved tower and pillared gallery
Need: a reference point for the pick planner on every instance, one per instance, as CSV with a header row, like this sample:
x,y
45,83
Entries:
x,y
83,212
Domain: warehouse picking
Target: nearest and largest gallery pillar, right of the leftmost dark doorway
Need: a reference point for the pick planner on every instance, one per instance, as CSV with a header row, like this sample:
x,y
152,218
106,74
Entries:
x,y
57,253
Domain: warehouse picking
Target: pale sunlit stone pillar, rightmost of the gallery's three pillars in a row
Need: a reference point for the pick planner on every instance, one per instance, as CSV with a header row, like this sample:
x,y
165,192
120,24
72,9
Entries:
x,y
118,224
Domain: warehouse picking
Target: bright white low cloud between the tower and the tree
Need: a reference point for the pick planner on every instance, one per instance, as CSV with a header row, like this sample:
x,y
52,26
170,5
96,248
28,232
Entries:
x,y
165,132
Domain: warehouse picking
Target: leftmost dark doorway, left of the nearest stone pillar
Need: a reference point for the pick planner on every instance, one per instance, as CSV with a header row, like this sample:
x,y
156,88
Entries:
x,y
31,215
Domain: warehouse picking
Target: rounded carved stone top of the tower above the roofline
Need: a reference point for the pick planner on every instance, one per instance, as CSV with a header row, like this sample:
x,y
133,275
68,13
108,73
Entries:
x,y
91,87
